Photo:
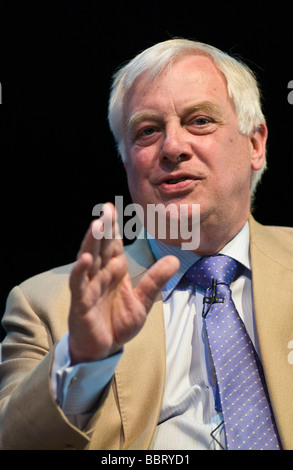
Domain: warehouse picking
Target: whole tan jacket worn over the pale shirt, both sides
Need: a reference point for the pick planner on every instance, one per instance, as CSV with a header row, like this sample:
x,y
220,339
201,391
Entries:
x,y
36,318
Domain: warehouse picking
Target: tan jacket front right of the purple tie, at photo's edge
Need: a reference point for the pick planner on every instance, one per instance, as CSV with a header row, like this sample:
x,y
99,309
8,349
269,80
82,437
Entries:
x,y
272,278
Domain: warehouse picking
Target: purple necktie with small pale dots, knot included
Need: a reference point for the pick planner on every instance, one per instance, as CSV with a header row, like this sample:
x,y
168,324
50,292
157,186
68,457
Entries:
x,y
249,424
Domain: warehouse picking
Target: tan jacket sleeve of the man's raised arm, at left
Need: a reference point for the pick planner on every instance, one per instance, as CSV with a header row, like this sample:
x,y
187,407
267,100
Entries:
x,y
30,418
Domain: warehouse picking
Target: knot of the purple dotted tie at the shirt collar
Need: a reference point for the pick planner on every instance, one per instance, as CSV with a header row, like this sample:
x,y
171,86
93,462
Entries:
x,y
220,267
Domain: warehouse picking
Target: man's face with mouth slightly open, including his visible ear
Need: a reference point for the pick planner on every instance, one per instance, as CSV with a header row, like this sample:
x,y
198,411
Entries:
x,y
183,145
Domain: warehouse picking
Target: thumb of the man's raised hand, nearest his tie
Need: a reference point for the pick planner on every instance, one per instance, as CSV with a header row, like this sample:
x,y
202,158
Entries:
x,y
155,278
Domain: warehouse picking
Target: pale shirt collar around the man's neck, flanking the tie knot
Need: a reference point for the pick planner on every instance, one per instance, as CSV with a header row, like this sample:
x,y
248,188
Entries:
x,y
237,248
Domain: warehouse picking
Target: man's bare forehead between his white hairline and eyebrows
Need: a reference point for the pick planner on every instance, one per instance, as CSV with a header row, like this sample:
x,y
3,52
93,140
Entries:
x,y
190,78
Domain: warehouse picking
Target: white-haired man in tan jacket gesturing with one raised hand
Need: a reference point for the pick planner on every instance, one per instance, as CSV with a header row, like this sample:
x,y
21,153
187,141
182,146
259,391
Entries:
x,y
137,348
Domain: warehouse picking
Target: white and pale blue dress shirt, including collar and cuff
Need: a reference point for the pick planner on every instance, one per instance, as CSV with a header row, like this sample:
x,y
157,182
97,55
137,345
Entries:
x,y
188,415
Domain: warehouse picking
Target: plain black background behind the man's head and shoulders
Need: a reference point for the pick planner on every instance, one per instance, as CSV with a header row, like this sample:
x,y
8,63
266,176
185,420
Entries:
x,y
58,158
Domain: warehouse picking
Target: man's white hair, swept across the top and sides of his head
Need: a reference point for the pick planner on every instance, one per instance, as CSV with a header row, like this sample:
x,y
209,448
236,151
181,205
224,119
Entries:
x,y
241,85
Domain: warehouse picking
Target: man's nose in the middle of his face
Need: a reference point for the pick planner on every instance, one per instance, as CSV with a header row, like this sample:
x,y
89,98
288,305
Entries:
x,y
176,146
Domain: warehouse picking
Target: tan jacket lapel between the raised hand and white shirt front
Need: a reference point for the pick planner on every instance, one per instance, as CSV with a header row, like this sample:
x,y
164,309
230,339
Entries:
x,y
140,375
